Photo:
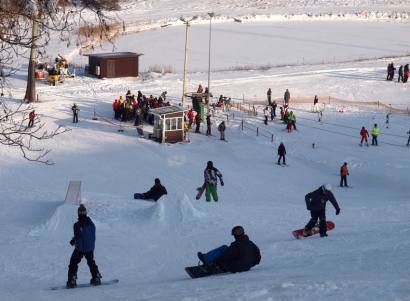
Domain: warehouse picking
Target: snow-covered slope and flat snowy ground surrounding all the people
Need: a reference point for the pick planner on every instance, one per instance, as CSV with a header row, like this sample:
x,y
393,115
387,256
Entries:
x,y
147,245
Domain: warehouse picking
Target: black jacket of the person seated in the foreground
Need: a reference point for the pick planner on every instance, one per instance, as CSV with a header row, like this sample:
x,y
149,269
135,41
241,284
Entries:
x,y
240,256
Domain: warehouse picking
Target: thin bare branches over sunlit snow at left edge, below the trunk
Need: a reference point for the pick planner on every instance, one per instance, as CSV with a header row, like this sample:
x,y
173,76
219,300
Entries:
x,y
15,132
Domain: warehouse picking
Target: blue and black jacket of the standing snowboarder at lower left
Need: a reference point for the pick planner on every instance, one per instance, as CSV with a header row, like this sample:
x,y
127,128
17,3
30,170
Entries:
x,y
84,234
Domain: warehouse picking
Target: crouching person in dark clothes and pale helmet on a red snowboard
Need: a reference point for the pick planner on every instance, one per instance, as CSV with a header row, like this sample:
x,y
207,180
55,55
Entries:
x,y
316,204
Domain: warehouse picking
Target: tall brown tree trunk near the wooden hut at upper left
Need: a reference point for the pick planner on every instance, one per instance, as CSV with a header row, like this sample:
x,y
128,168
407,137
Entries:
x,y
31,81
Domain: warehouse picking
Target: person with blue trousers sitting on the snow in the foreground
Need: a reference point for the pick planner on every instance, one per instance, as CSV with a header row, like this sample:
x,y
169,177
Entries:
x,y
240,256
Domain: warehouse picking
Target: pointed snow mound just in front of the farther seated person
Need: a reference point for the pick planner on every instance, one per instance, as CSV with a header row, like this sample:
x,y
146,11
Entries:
x,y
172,210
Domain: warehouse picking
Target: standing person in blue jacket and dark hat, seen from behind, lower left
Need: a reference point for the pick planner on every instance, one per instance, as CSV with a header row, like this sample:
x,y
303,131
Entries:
x,y
84,241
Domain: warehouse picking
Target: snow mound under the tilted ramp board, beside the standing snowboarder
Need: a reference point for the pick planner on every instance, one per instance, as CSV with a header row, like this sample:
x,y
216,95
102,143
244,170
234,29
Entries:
x,y
60,223
